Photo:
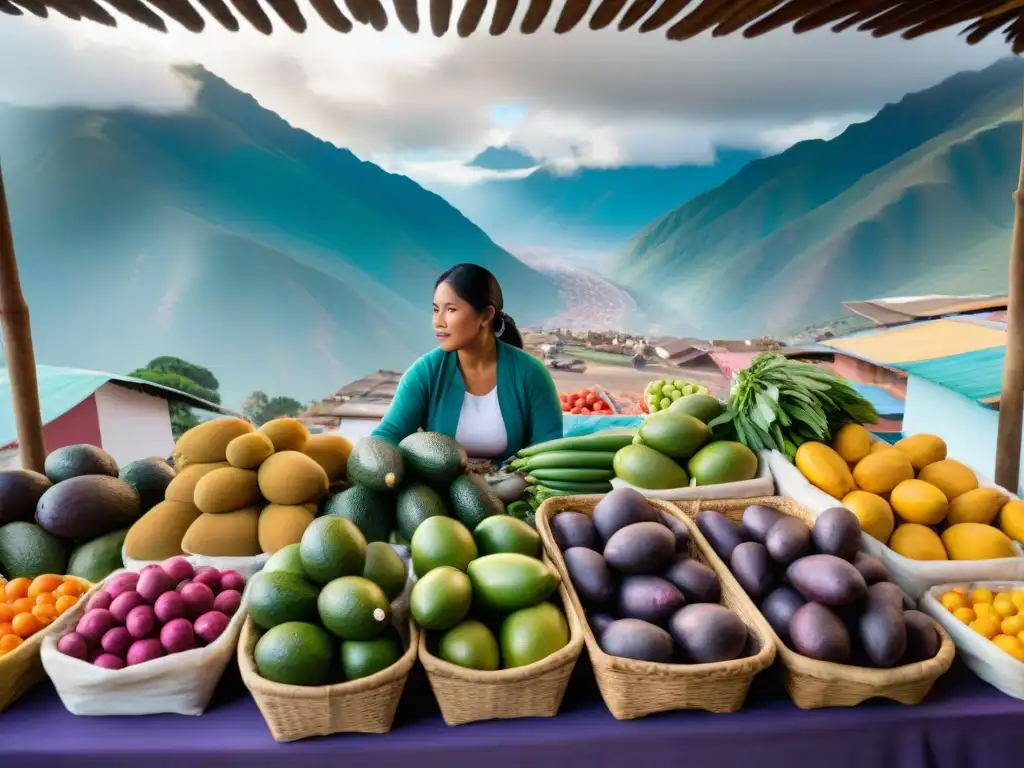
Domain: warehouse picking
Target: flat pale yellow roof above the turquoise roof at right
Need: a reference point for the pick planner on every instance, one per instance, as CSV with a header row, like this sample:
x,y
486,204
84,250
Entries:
x,y
921,342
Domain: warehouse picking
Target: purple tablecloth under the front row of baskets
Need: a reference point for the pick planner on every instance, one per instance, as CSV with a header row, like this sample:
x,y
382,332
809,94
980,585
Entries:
x,y
964,724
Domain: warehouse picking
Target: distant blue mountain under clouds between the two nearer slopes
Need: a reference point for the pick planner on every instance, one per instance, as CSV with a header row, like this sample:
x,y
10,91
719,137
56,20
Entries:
x,y
584,209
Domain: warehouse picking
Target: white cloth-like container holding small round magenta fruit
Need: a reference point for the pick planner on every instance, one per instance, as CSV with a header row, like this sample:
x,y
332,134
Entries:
x,y
178,685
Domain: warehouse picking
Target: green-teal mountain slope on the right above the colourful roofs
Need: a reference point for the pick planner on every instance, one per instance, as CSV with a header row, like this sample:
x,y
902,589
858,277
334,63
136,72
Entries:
x,y
915,201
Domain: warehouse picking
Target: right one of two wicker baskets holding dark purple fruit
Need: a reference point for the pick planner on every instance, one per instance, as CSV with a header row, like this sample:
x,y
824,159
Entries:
x,y
814,685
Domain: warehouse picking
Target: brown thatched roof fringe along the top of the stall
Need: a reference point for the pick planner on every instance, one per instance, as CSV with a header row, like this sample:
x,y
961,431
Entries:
x,y
912,18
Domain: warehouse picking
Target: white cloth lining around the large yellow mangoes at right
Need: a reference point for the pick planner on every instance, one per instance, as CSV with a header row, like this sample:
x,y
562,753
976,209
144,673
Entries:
x,y
914,577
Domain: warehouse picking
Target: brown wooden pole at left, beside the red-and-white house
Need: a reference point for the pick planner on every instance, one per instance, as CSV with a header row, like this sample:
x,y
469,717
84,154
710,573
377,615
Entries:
x,y
18,348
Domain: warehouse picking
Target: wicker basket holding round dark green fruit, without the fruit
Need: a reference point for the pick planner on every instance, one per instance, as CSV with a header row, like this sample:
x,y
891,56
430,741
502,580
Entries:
x,y
294,712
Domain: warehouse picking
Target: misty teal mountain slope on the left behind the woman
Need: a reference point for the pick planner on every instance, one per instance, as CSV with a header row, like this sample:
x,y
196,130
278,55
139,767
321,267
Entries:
x,y
226,237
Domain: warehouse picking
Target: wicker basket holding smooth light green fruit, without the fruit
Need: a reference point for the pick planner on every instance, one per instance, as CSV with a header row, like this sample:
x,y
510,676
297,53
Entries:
x,y
532,692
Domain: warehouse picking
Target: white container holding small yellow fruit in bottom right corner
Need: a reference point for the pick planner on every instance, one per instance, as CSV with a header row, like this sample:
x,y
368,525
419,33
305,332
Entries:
x,y
987,661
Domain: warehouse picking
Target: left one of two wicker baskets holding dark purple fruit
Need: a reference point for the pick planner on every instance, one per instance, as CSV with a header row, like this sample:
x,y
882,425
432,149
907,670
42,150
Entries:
x,y
632,689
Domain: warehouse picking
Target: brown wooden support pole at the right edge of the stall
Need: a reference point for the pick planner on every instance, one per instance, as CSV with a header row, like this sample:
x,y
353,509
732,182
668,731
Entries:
x,y
1008,448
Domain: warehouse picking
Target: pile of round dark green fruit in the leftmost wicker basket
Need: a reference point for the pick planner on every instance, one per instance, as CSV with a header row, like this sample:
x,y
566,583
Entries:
x,y
323,608
